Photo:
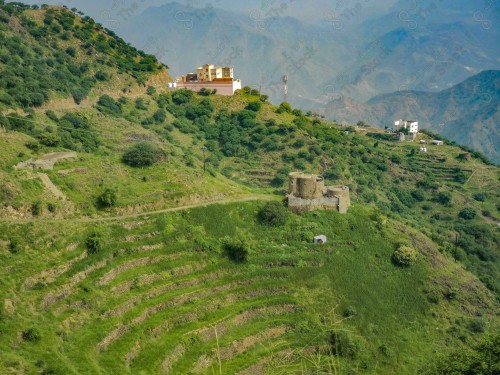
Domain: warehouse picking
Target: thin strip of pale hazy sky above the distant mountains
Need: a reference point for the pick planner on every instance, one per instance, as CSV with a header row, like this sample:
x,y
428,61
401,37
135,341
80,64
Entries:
x,y
311,11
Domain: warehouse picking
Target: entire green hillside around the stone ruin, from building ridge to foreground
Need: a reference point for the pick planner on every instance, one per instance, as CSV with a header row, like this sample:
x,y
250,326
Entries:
x,y
125,271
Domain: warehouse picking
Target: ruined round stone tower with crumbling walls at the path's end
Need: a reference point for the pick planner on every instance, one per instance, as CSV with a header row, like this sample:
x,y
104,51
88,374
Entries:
x,y
307,192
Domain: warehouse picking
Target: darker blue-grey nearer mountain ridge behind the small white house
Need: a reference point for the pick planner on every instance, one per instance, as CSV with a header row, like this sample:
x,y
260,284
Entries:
x,y
467,113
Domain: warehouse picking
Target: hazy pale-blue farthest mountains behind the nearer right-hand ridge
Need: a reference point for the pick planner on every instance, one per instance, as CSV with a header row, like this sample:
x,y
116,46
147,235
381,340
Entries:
x,y
427,46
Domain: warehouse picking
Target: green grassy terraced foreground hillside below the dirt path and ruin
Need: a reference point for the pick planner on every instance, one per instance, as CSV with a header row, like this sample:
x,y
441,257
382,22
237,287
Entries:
x,y
161,296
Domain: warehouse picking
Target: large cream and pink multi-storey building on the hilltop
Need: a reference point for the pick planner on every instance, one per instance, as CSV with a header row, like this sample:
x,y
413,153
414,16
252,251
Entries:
x,y
210,77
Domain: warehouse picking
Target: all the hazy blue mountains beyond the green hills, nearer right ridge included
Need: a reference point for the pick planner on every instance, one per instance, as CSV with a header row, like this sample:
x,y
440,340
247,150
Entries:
x,y
347,65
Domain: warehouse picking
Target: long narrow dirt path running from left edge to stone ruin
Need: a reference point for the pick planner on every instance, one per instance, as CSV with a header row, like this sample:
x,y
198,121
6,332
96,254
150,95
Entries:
x,y
247,198
